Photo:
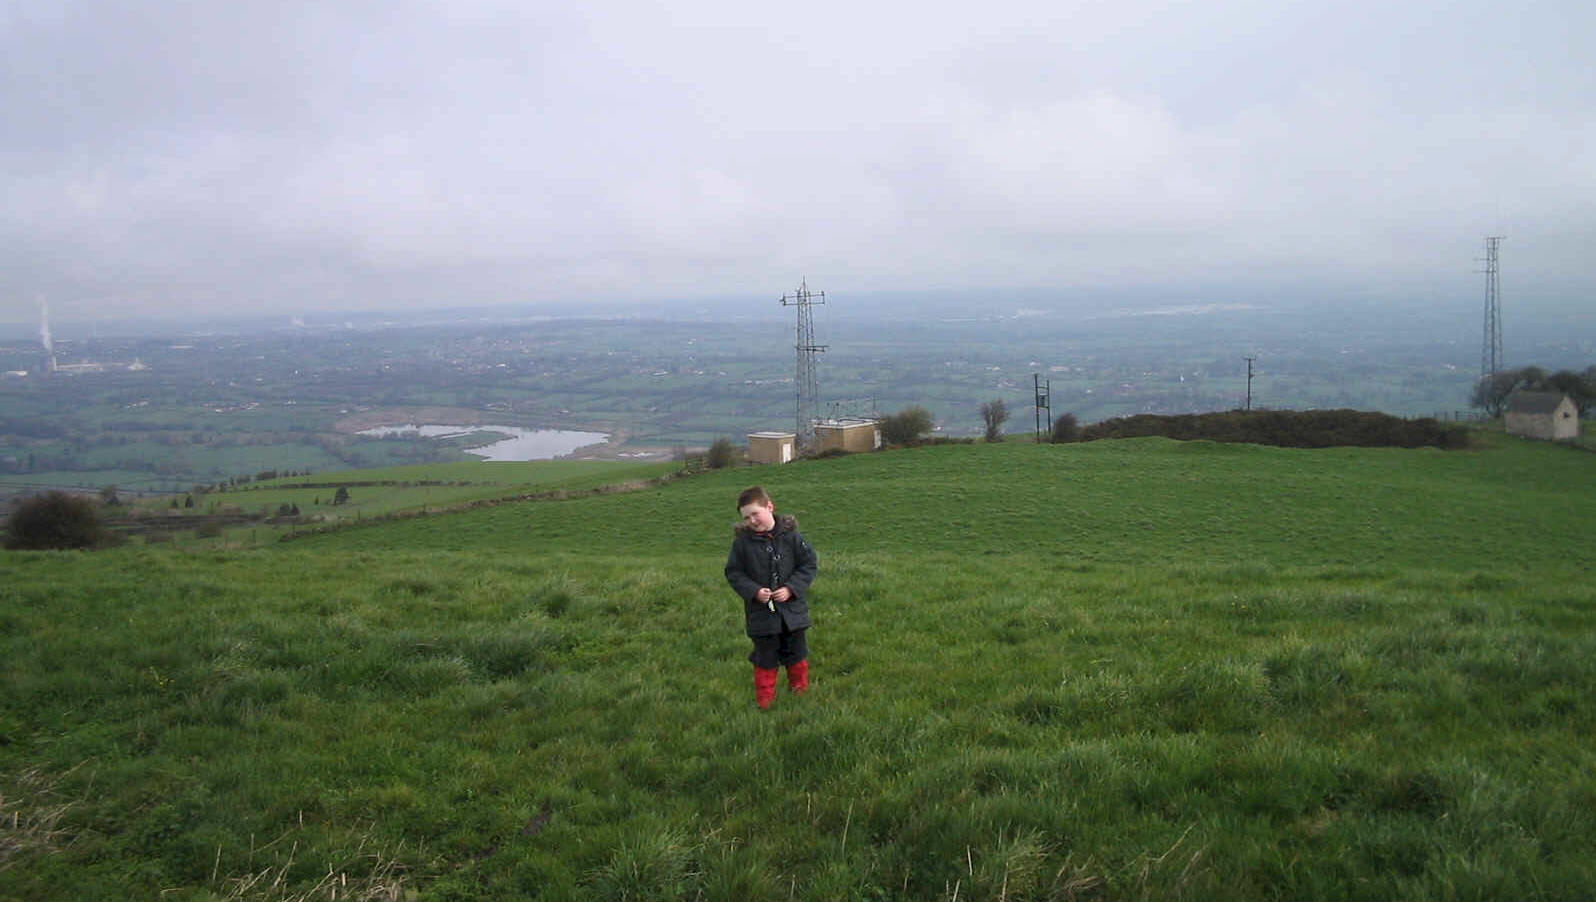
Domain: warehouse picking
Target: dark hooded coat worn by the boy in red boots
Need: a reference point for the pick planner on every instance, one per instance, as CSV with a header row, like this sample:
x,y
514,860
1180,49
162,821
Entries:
x,y
770,563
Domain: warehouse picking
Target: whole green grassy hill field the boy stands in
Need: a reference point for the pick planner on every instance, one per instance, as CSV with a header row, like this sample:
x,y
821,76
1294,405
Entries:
x,y
1136,670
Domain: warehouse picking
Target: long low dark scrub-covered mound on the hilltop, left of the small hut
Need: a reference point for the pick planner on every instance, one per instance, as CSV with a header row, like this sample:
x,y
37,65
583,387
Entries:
x,y
1287,429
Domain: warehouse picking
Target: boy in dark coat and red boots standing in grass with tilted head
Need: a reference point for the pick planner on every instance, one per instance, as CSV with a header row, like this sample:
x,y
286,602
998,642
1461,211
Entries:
x,y
772,568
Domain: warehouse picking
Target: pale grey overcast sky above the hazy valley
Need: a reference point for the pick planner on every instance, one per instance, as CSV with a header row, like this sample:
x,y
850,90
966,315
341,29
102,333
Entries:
x,y
173,157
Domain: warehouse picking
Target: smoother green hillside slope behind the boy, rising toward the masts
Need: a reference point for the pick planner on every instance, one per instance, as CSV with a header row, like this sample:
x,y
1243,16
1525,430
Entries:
x,y
1123,502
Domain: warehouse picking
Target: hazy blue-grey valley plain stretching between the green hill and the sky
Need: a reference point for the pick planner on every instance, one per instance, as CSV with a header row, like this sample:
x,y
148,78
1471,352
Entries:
x,y
164,413
